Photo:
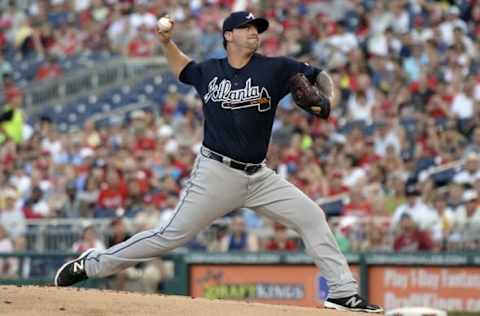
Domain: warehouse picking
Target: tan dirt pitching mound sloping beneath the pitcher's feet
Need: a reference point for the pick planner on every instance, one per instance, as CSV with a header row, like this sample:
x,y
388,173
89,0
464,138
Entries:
x,y
33,300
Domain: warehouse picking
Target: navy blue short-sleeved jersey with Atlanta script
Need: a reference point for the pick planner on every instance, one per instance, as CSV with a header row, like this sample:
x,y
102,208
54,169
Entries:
x,y
239,104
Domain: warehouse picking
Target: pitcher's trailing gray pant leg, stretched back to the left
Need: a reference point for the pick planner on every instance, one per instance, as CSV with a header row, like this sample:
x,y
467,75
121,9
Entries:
x,y
211,192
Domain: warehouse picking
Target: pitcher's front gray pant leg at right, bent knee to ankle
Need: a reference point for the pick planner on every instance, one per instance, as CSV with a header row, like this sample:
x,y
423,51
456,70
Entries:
x,y
280,200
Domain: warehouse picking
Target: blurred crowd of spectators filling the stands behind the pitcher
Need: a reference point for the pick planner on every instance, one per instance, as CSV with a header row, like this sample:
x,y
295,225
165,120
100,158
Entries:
x,y
407,108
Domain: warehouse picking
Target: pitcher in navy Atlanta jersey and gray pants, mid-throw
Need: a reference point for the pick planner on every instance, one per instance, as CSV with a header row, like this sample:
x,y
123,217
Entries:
x,y
240,94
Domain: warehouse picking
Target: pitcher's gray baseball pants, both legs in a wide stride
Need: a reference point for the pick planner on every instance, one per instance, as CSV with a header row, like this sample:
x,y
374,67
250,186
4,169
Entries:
x,y
215,189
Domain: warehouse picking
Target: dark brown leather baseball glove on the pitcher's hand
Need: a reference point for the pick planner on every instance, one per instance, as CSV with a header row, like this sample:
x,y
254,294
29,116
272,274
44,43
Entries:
x,y
307,95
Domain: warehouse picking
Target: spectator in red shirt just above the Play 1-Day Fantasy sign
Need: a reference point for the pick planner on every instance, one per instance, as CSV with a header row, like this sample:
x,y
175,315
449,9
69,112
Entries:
x,y
410,237
